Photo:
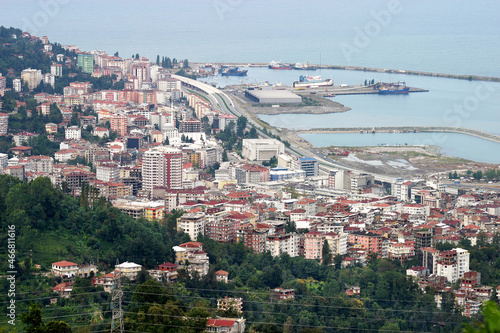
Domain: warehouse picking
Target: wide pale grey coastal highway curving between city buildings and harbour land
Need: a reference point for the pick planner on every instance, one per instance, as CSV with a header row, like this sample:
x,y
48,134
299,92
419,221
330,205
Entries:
x,y
221,101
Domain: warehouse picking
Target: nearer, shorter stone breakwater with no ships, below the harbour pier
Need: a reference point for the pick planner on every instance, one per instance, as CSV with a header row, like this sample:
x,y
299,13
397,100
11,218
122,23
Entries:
x,y
407,129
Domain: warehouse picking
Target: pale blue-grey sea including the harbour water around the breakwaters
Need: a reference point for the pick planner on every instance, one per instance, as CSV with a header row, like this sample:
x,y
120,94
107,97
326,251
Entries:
x,y
447,36
